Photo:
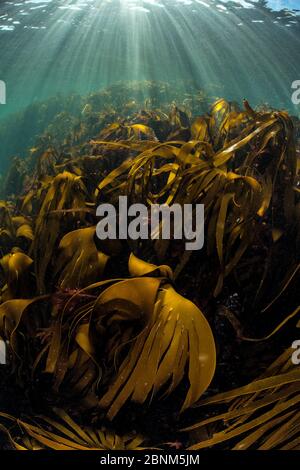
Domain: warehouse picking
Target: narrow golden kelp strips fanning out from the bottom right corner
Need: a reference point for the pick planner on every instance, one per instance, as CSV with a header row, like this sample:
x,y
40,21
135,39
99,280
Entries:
x,y
263,413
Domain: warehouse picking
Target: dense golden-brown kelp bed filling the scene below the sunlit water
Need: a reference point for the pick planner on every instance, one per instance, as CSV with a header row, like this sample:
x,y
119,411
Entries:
x,y
116,327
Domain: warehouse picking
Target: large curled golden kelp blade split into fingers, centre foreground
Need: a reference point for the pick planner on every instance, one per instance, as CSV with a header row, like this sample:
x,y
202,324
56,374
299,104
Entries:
x,y
175,336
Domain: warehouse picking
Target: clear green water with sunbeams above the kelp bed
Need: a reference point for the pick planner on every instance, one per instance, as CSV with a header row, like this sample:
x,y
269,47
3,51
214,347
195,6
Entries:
x,y
51,48
